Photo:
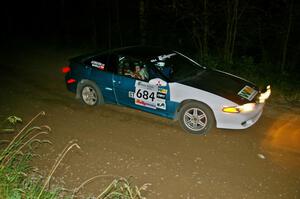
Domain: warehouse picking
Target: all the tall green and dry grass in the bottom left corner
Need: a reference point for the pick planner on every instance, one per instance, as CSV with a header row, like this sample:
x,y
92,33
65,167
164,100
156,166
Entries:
x,y
18,179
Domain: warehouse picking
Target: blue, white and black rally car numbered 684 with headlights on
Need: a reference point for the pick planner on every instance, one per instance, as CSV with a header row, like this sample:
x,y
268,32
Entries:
x,y
166,83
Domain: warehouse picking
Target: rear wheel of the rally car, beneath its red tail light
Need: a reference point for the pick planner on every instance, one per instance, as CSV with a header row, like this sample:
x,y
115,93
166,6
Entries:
x,y
90,94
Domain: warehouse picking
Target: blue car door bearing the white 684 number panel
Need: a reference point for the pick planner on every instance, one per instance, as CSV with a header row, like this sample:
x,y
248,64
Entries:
x,y
147,95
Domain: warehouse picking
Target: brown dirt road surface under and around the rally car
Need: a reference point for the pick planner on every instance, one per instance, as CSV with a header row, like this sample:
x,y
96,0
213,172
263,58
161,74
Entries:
x,y
260,162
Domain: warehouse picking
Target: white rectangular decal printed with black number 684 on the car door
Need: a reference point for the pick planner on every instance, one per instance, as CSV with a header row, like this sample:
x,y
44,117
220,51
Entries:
x,y
145,94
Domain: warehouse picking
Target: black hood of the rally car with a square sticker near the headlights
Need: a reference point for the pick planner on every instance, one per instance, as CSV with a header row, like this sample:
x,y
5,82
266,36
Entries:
x,y
225,85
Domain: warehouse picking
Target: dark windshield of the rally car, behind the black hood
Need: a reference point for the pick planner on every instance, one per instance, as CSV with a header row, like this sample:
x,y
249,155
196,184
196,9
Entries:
x,y
177,67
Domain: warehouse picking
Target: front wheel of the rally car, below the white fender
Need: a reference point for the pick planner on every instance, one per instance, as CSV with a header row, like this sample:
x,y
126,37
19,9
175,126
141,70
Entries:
x,y
196,118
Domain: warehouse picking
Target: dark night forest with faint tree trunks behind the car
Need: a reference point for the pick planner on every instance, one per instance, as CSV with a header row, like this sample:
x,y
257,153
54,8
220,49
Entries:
x,y
257,36
